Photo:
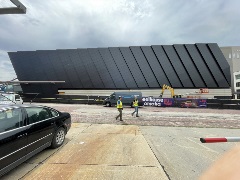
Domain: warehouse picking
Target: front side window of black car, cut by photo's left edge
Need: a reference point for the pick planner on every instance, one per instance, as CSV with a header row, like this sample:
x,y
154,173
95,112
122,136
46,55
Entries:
x,y
10,119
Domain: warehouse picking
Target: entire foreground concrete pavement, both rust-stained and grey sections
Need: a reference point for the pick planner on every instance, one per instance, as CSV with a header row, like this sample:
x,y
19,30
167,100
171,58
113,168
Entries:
x,y
126,152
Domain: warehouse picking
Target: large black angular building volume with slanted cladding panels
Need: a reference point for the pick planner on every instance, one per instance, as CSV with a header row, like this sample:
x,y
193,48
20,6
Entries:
x,y
135,67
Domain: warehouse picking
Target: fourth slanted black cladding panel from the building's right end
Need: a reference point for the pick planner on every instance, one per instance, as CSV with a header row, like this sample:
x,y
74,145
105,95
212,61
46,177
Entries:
x,y
189,65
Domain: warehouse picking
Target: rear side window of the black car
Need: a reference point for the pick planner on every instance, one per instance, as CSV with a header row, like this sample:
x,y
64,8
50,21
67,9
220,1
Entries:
x,y
37,114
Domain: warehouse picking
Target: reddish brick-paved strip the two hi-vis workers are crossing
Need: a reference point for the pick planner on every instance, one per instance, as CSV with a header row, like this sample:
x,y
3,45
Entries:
x,y
155,116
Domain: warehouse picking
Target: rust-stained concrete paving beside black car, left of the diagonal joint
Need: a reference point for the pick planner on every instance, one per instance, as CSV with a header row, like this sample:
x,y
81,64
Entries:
x,y
95,151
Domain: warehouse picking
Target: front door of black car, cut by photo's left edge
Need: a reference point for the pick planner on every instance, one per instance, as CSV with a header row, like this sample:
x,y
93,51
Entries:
x,y
13,138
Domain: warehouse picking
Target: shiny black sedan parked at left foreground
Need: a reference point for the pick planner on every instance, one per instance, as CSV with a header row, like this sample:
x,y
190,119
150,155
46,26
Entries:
x,y
25,130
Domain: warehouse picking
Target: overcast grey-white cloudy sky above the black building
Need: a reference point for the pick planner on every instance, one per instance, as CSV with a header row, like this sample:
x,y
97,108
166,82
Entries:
x,y
65,24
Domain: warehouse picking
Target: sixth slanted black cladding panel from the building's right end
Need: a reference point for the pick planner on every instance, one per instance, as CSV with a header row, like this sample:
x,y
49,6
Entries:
x,y
166,65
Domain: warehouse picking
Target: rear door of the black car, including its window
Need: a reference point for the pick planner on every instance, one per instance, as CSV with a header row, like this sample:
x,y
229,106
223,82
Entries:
x,y
41,128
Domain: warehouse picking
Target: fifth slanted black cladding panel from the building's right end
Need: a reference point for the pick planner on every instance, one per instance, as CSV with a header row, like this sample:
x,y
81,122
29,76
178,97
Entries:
x,y
178,66
